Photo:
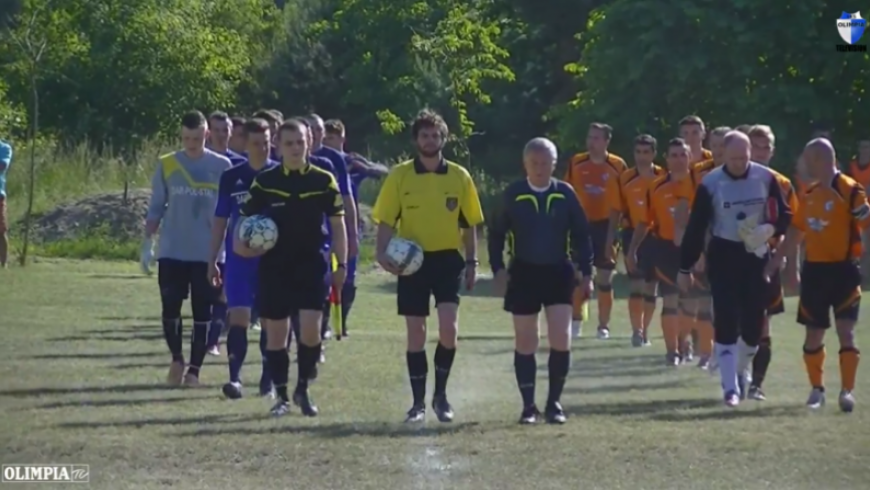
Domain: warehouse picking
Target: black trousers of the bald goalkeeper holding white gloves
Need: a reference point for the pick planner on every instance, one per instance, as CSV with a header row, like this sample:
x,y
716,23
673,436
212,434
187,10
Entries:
x,y
739,292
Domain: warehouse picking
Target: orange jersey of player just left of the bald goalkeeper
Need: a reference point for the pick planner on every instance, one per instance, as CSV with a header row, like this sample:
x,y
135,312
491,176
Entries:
x,y
664,197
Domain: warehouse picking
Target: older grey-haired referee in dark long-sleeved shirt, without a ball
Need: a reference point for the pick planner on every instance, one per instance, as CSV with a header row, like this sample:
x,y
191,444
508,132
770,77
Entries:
x,y
543,216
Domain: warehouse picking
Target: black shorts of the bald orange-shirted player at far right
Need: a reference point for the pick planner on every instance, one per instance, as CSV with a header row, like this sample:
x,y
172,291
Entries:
x,y
827,287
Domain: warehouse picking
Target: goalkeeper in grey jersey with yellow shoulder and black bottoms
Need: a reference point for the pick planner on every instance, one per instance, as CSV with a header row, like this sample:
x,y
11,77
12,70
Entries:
x,y
184,192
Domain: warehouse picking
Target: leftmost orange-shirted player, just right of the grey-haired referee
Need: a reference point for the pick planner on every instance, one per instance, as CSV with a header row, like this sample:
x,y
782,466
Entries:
x,y
589,174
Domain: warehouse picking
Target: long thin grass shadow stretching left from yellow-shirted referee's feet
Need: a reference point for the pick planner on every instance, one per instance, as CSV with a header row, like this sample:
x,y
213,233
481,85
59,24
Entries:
x,y
341,430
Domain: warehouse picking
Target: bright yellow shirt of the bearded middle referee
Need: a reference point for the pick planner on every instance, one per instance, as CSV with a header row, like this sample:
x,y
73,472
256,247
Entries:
x,y
429,208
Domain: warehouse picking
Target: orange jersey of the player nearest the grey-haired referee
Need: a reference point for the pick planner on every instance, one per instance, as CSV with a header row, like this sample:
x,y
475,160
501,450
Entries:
x,y
590,180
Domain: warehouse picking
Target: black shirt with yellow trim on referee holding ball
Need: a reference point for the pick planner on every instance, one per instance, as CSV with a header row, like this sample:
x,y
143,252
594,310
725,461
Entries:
x,y
299,202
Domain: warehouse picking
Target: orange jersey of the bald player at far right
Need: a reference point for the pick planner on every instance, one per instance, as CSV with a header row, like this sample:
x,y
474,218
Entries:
x,y
832,219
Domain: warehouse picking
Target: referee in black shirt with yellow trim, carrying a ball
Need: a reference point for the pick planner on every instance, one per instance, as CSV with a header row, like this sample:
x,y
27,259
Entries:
x,y
299,197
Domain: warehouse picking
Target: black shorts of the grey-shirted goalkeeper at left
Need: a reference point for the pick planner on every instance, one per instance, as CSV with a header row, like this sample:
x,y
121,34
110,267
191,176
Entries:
x,y
180,279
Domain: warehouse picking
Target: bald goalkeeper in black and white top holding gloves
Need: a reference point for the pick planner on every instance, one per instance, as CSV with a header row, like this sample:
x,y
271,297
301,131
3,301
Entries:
x,y
742,206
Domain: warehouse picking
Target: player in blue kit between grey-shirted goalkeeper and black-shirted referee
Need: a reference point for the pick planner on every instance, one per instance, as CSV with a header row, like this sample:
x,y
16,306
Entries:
x,y
239,277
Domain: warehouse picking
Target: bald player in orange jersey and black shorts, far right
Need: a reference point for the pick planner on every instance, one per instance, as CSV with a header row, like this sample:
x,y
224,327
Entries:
x,y
833,211
